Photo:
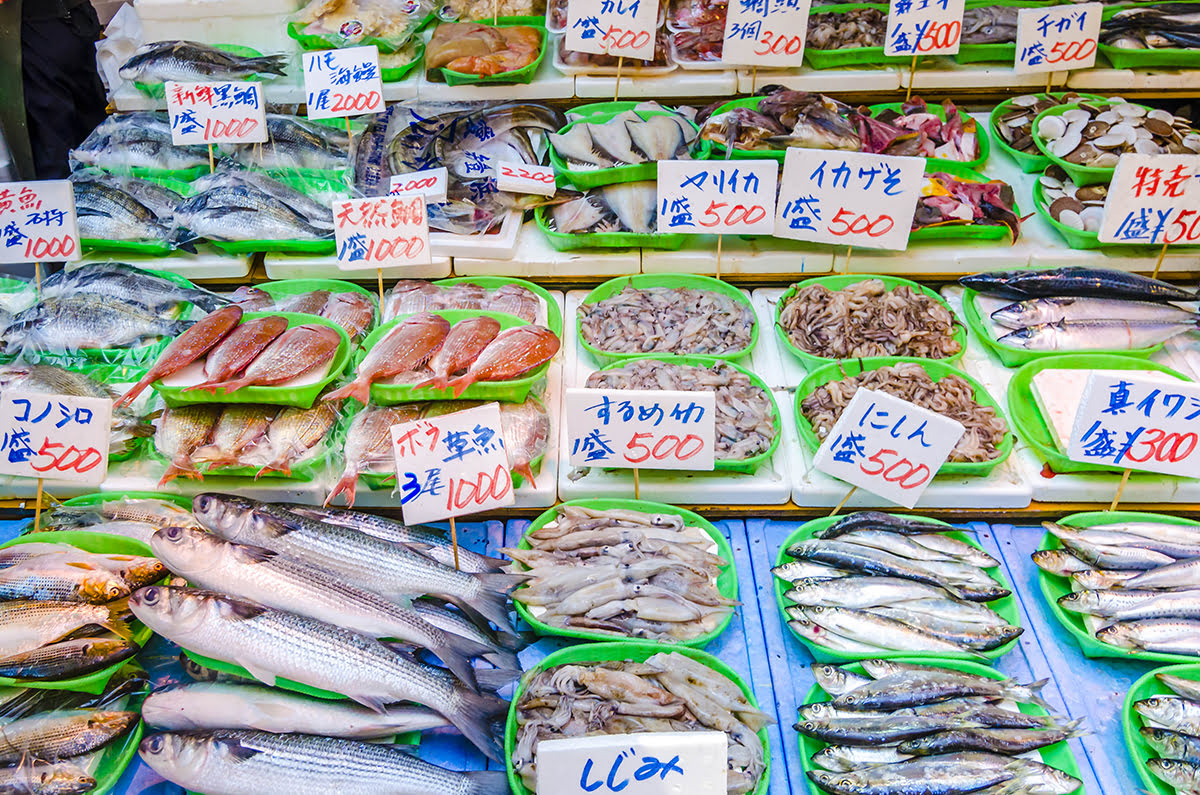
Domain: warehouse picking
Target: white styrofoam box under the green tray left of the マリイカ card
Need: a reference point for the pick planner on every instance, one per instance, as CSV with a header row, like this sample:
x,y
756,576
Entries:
x,y
536,258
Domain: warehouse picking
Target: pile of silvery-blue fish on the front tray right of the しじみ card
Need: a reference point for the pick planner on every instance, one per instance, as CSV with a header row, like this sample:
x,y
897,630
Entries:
x,y
895,728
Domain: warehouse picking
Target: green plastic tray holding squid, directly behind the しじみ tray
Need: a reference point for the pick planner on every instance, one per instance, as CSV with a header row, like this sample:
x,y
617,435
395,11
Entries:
x,y
727,583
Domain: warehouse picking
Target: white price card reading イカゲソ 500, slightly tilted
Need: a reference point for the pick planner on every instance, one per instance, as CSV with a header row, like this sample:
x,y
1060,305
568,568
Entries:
x,y
849,199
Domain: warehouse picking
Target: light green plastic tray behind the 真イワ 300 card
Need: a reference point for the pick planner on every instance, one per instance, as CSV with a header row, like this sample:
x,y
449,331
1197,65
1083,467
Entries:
x,y
1031,426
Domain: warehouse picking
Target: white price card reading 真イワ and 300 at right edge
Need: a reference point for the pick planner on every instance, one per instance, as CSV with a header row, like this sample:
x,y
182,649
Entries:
x,y
1138,422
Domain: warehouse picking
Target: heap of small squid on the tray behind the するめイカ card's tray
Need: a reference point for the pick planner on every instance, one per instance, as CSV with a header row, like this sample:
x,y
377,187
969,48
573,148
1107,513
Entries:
x,y
668,320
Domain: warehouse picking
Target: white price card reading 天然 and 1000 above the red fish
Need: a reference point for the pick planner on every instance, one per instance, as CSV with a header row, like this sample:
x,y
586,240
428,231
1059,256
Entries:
x,y
382,232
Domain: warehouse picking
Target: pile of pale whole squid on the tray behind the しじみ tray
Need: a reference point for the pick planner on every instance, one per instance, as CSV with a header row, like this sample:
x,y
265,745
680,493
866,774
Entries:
x,y
623,572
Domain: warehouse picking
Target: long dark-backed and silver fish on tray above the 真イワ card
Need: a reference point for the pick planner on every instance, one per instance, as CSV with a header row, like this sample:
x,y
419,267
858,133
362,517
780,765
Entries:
x,y
1085,309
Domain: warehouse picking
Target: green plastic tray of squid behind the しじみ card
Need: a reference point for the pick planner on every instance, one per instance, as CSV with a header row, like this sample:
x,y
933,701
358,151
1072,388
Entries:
x,y
635,653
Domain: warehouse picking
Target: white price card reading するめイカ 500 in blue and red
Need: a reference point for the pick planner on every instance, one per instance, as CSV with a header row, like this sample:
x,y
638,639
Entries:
x,y
641,429
